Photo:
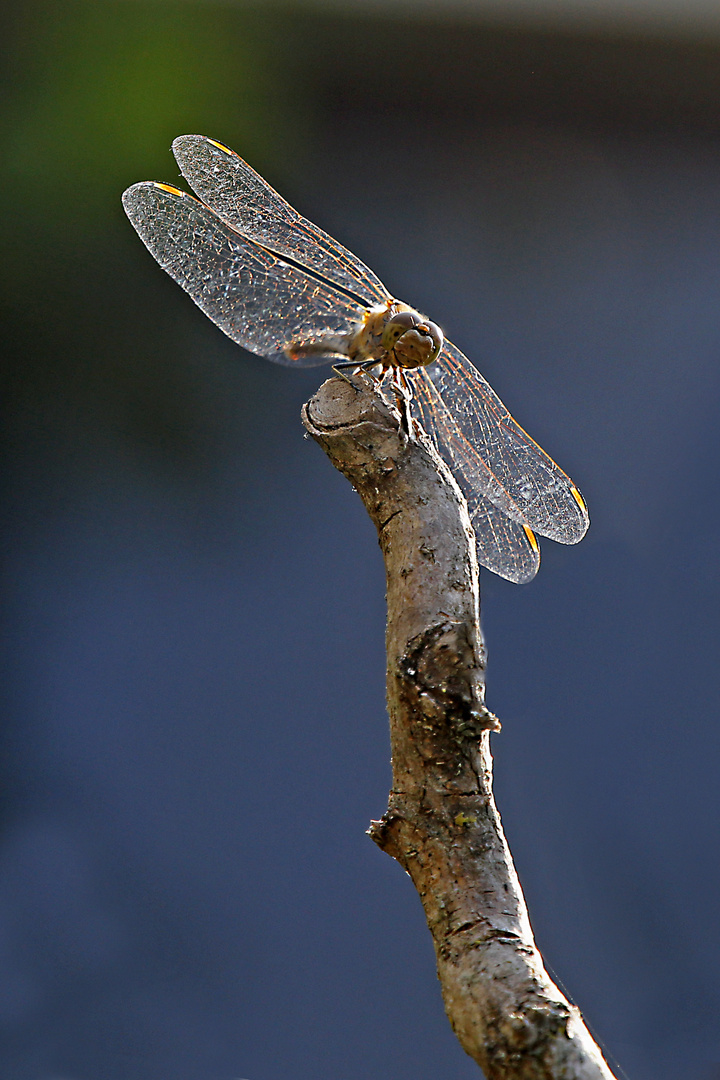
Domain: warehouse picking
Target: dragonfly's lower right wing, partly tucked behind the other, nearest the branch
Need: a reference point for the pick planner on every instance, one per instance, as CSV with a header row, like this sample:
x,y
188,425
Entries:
x,y
506,544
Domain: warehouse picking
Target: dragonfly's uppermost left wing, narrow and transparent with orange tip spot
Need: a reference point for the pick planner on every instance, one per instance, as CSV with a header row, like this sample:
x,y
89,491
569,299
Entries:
x,y
246,201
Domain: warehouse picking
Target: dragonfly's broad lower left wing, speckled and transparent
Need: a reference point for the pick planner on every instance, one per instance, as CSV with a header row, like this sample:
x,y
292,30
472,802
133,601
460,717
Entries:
x,y
261,302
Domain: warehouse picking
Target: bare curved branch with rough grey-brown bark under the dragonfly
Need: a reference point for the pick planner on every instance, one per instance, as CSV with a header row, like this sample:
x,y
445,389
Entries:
x,y
442,823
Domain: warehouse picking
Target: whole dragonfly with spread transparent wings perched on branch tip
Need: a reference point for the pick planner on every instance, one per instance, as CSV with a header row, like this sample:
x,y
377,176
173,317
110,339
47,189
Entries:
x,y
282,288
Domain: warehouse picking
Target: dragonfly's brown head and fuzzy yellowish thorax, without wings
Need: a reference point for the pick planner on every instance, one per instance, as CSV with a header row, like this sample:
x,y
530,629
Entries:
x,y
399,337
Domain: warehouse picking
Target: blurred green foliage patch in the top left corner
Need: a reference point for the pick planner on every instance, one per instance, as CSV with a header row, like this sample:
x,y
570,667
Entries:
x,y
97,92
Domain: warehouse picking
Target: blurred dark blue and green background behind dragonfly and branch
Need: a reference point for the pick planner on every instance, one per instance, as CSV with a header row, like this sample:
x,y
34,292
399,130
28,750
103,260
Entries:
x,y
194,726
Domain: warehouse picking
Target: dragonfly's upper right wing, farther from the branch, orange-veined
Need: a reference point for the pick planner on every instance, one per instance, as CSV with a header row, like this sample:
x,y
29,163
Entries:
x,y
526,485
